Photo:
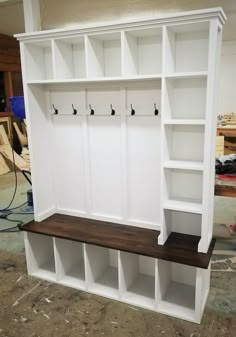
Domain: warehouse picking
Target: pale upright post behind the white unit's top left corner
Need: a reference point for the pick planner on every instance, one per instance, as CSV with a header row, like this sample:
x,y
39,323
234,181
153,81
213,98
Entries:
x,y
32,15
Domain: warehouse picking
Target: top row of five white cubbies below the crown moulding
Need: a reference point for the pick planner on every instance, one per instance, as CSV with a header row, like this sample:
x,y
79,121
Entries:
x,y
173,51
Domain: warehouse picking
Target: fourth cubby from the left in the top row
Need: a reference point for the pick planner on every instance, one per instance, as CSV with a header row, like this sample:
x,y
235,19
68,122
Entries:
x,y
143,52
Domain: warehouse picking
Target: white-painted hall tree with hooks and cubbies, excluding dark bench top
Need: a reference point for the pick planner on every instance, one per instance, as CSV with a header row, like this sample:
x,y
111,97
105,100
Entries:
x,y
122,128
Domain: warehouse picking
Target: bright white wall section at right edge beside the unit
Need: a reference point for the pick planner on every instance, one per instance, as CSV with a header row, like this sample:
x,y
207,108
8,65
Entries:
x,y
228,77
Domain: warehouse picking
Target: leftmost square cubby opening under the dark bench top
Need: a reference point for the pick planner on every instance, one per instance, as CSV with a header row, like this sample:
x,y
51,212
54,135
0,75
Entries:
x,y
41,256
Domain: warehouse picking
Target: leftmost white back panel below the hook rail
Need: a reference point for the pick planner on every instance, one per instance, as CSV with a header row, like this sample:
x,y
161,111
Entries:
x,y
68,171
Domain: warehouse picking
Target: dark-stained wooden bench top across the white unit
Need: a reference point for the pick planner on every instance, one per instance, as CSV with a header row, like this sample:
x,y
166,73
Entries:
x,y
179,248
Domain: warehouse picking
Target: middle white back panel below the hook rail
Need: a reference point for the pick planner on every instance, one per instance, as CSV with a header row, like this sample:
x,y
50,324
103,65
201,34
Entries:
x,y
105,165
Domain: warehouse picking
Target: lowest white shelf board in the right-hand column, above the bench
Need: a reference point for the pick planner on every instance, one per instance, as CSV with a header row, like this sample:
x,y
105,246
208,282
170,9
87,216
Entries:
x,y
185,206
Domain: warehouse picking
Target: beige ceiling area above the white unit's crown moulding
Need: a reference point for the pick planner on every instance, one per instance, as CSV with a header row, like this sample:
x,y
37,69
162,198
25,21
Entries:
x,y
73,12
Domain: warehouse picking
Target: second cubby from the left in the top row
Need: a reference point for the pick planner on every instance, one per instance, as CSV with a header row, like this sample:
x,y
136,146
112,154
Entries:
x,y
70,58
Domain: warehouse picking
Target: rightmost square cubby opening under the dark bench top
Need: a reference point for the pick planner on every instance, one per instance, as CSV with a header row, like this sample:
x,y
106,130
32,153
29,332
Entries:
x,y
177,286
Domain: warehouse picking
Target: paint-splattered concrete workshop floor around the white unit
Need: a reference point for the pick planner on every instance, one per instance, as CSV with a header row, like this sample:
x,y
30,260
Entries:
x,y
30,307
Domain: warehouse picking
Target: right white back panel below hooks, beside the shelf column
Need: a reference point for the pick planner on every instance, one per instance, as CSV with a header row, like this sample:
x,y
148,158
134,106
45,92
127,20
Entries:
x,y
143,155
